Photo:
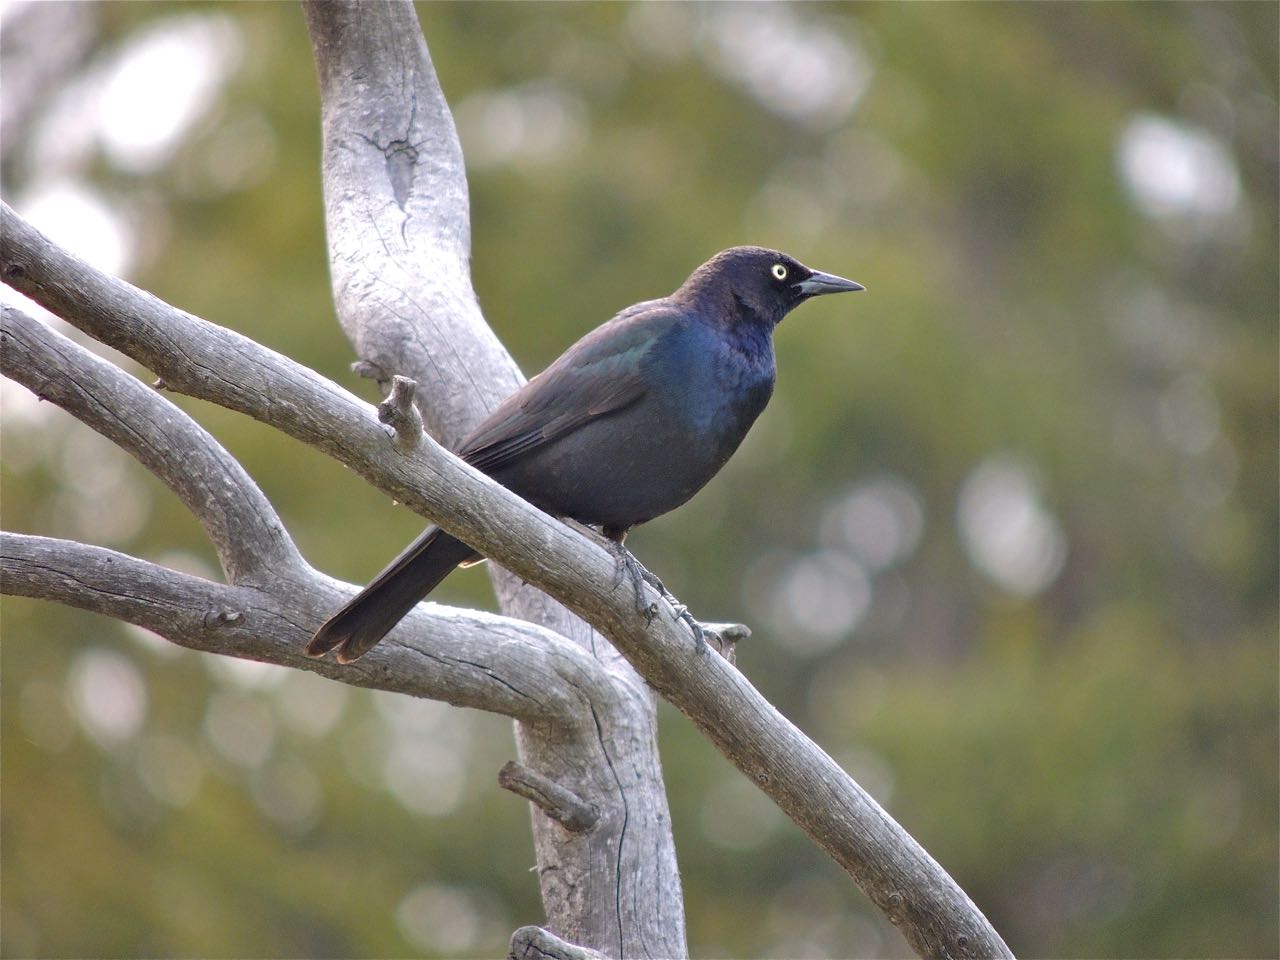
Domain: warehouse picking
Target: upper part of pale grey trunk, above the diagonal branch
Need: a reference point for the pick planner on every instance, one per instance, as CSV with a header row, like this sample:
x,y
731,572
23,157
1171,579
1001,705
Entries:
x,y
399,217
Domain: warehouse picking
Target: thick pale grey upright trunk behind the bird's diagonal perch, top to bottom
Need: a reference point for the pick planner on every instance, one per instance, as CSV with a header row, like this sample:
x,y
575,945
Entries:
x,y
399,222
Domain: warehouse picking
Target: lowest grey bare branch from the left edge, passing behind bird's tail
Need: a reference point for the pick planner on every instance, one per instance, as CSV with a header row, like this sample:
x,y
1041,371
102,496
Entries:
x,y
464,657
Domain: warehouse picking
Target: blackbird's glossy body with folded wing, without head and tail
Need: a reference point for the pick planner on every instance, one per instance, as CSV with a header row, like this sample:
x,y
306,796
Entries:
x,y
633,419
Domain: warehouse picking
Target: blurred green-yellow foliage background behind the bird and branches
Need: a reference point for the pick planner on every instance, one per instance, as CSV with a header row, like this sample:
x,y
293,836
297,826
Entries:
x,y
1095,758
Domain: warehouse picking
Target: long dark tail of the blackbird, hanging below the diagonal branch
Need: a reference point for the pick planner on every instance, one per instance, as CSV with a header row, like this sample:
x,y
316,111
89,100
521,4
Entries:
x,y
374,611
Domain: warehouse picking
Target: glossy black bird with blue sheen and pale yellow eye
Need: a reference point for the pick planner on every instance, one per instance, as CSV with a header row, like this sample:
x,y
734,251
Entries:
x,y
629,424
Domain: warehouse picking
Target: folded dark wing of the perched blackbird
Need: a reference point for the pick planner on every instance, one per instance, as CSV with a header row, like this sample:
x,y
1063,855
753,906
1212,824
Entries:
x,y
601,374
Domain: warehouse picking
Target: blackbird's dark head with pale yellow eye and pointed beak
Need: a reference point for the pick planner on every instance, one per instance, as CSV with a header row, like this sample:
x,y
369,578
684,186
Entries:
x,y
766,285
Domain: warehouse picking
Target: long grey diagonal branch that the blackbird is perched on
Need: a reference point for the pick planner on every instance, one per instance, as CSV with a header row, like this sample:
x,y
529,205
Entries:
x,y
893,870
